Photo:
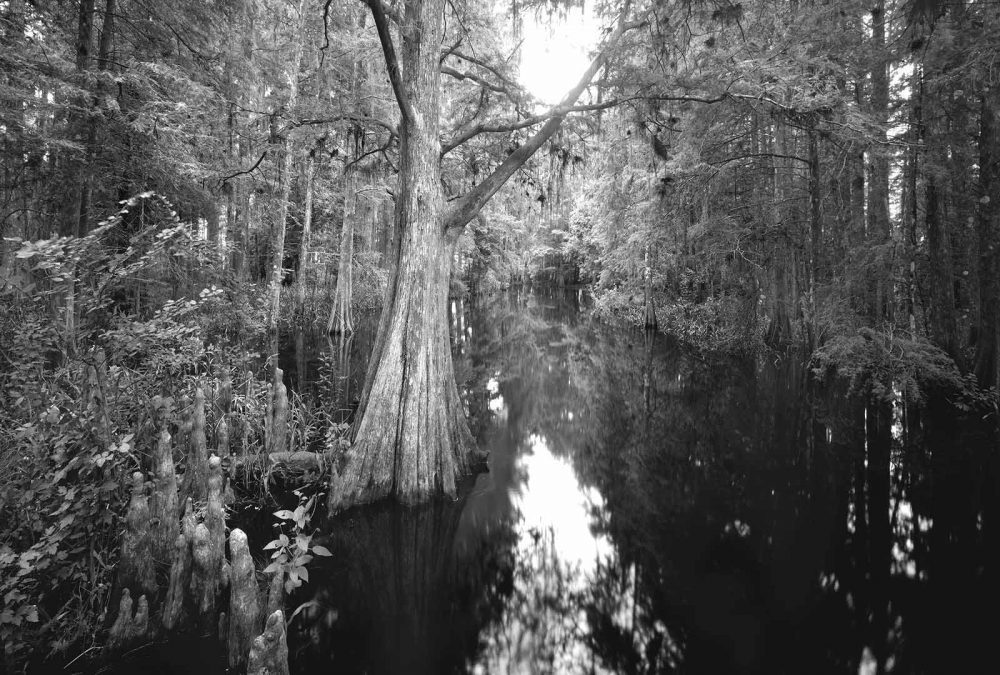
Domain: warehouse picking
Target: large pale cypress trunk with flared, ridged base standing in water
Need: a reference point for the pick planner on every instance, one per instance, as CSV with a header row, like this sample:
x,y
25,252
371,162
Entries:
x,y
411,439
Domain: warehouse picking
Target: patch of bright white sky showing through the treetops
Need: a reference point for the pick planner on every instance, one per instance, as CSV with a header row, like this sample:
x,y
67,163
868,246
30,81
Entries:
x,y
552,60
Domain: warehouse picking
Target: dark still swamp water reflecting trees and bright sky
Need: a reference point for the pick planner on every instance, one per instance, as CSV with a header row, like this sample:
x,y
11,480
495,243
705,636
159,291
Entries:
x,y
647,510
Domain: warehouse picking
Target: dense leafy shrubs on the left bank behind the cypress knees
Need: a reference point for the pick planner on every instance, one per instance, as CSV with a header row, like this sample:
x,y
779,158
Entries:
x,y
80,385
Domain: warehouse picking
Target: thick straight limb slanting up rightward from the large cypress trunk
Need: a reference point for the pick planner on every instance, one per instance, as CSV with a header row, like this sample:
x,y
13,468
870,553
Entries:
x,y
466,208
